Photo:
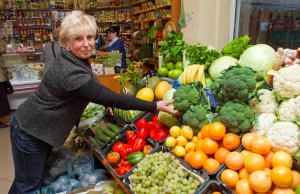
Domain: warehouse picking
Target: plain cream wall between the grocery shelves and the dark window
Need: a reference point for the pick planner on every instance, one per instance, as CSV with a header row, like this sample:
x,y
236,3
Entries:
x,y
211,22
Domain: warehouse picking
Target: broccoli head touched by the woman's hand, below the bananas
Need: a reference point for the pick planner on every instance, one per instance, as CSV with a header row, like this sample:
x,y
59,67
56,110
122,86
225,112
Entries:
x,y
185,96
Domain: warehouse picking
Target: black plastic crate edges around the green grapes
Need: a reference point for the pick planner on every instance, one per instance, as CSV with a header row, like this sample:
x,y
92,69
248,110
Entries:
x,y
202,174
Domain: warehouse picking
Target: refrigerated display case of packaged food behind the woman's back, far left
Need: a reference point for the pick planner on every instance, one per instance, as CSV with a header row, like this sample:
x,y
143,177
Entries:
x,y
24,72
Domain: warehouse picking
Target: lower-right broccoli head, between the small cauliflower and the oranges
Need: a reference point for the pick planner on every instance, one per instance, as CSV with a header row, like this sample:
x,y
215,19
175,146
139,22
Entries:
x,y
237,117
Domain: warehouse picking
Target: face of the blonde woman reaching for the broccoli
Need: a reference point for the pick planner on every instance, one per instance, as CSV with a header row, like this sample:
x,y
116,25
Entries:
x,y
82,45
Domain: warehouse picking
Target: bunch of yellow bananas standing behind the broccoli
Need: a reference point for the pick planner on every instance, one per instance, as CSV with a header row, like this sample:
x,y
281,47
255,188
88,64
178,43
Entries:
x,y
194,73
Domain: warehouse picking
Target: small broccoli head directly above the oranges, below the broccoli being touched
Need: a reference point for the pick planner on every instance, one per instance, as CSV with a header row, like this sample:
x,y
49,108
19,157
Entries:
x,y
196,117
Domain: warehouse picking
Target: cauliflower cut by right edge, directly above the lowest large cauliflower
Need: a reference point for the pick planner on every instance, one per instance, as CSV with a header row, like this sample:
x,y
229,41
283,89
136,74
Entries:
x,y
288,109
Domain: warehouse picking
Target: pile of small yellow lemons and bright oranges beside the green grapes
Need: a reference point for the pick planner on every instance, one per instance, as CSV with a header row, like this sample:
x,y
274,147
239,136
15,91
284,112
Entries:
x,y
207,150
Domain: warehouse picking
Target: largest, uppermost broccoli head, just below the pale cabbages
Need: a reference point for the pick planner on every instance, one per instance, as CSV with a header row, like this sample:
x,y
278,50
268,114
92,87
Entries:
x,y
236,84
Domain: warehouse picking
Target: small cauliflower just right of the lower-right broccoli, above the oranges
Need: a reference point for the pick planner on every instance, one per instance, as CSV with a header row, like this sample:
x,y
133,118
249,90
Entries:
x,y
263,123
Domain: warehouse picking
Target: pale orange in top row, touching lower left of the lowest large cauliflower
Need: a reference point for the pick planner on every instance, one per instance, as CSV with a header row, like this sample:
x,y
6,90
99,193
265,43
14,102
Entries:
x,y
260,145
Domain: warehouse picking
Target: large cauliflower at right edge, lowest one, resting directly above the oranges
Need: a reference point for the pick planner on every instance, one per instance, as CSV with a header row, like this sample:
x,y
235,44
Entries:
x,y
283,136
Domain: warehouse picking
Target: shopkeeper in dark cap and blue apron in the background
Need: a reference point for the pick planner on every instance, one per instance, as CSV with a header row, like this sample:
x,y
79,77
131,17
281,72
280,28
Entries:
x,y
116,43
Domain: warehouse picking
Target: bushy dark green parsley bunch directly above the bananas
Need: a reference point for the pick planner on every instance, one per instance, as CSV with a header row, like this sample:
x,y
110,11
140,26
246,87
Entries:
x,y
198,54
